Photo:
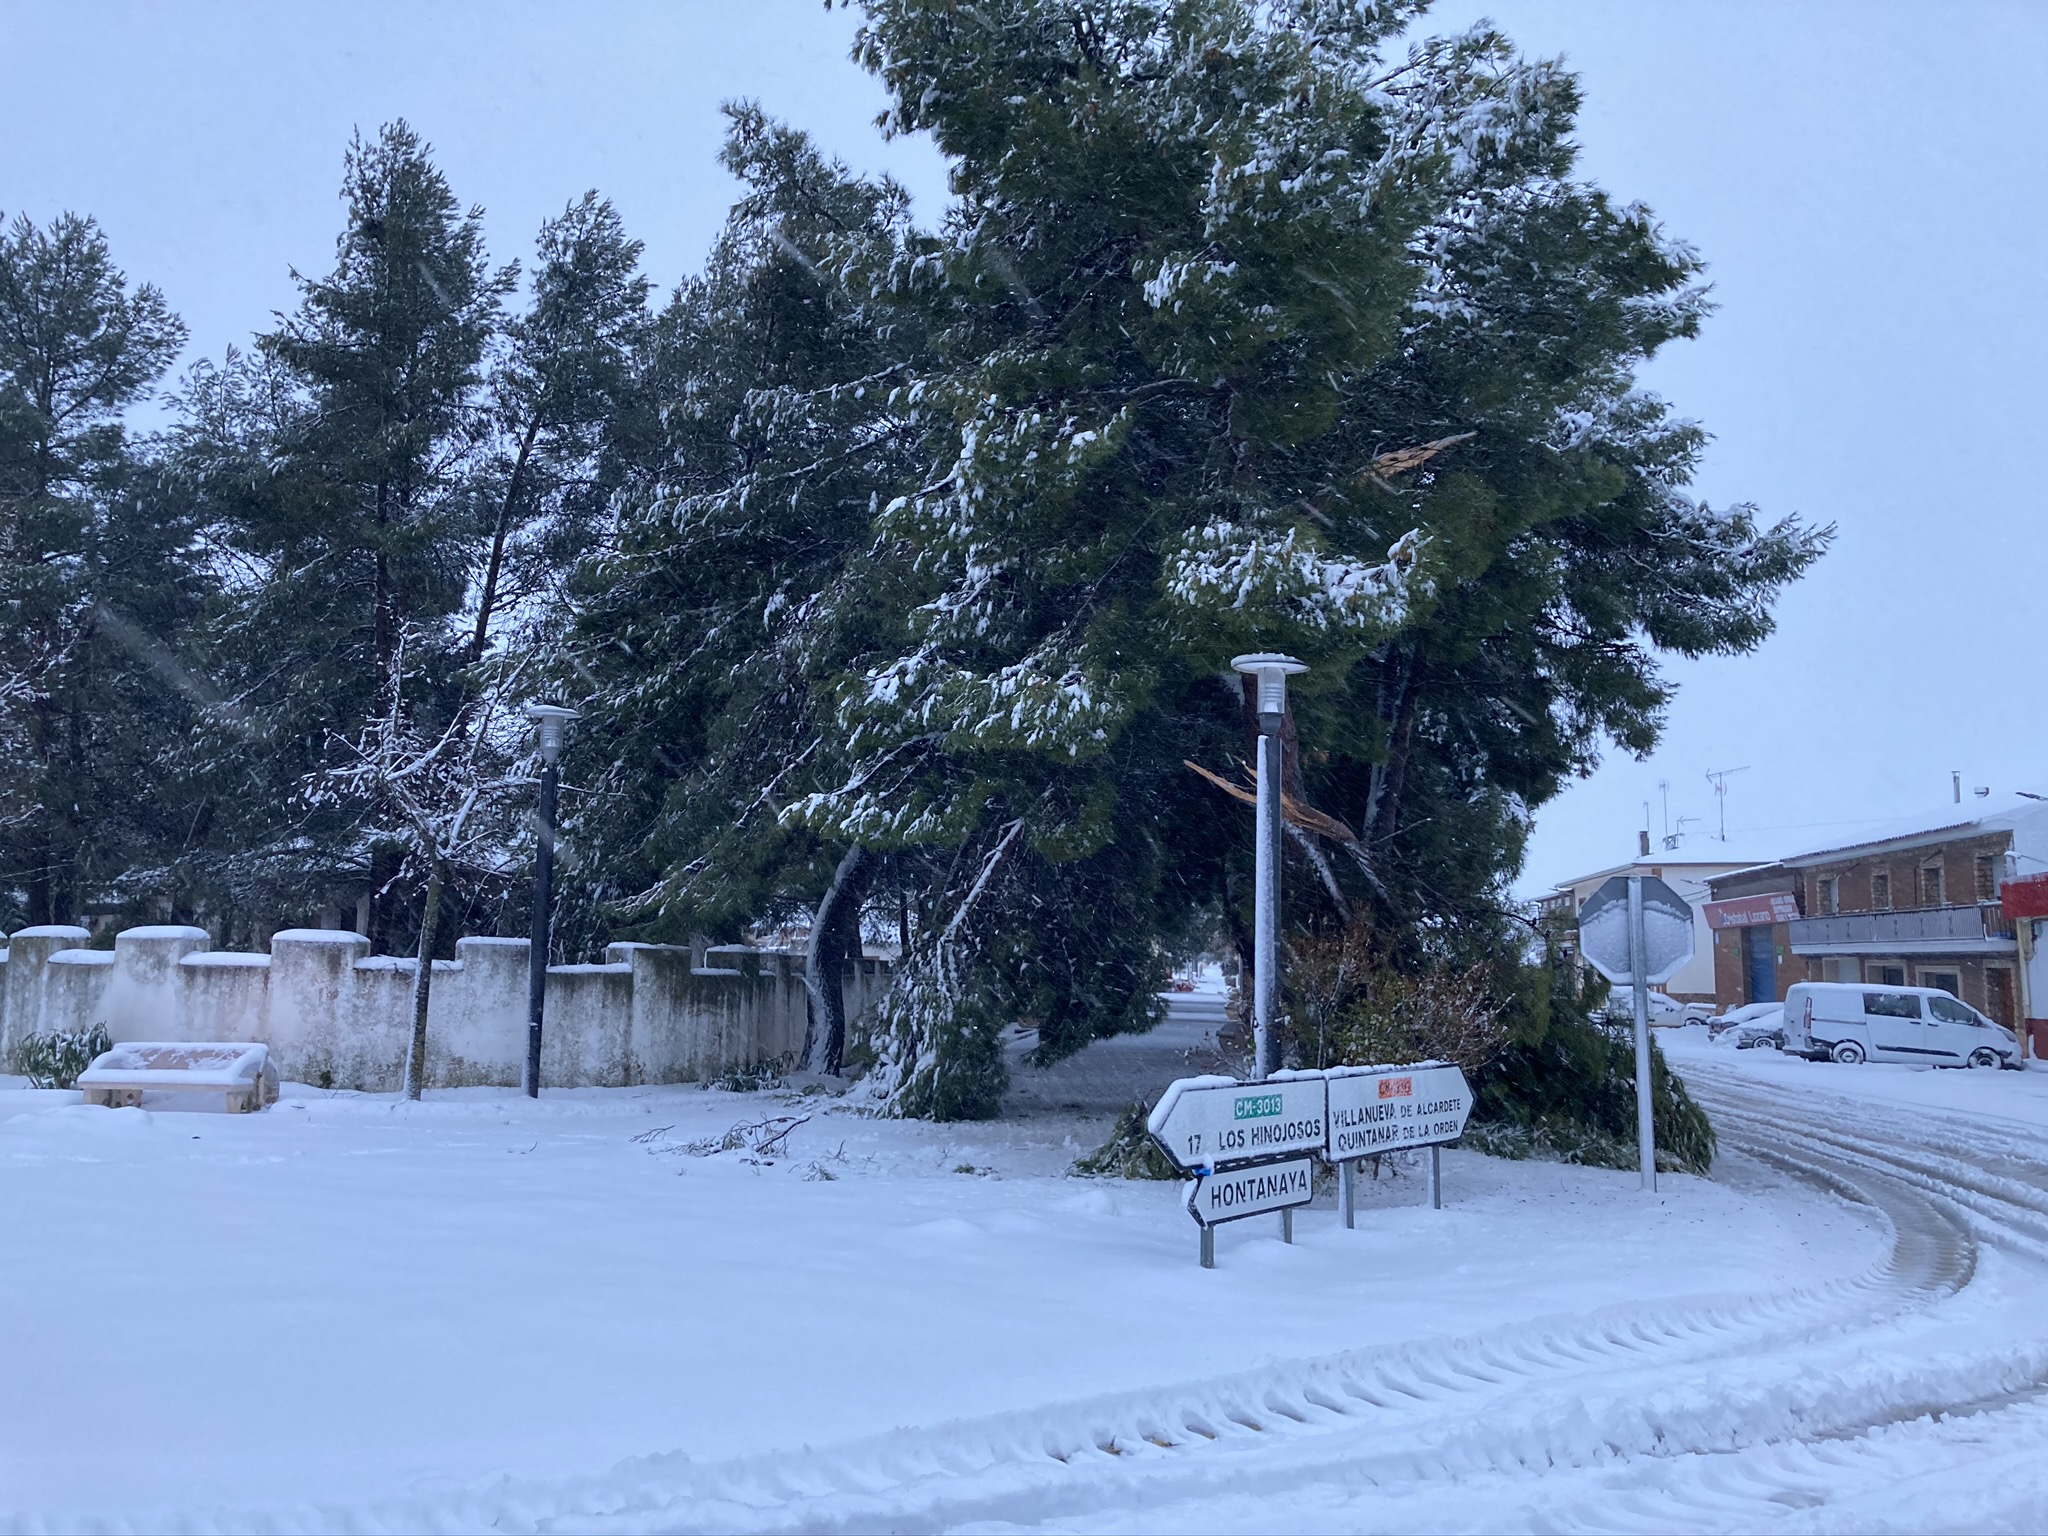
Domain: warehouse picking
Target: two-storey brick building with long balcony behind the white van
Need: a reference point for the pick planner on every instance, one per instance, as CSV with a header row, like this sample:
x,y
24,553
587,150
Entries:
x,y
1916,908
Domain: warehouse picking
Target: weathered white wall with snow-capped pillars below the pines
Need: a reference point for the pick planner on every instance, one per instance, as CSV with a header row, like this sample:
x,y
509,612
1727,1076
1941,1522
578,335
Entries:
x,y
339,1017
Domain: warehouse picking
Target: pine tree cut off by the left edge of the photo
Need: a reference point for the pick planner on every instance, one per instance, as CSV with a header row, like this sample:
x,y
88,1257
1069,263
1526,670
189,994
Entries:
x,y
97,579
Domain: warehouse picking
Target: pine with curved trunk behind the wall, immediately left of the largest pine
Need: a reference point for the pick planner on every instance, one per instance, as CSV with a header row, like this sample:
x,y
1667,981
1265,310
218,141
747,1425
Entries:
x,y
740,585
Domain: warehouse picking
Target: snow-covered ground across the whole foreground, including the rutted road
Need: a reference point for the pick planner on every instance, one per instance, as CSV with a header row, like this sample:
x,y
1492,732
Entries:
x,y
490,1314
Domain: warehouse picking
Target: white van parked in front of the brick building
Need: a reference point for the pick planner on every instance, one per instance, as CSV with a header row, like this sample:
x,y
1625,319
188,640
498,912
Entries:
x,y
1842,1021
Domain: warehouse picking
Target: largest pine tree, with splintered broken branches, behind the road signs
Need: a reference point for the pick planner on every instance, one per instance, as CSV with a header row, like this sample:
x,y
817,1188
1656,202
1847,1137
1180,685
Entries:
x,y
1252,337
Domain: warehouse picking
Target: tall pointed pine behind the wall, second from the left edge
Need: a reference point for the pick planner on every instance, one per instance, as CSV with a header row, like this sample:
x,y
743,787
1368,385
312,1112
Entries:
x,y
343,470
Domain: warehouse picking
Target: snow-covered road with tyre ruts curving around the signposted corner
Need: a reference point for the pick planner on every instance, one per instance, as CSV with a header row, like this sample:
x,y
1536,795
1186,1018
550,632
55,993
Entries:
x,y
1908,1398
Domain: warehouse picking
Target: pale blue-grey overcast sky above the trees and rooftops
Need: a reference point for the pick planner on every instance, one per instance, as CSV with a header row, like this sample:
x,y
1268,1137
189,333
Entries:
x,y
1867,183
